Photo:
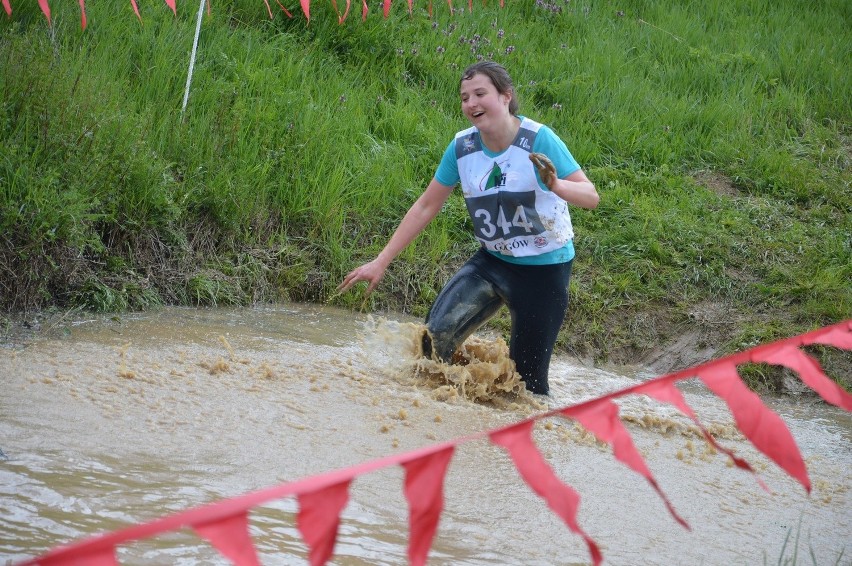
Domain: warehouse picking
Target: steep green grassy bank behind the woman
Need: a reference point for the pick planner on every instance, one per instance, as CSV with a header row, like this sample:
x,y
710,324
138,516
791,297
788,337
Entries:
x,y
718,134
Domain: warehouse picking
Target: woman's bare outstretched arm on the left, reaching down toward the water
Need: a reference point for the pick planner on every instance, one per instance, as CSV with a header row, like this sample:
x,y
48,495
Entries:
x,y
415,220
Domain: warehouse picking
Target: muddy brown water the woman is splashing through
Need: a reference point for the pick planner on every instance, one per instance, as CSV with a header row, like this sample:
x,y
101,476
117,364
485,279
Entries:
x,y
123,421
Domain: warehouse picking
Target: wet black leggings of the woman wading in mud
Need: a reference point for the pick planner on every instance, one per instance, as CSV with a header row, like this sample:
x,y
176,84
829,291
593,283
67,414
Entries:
x,y
537,297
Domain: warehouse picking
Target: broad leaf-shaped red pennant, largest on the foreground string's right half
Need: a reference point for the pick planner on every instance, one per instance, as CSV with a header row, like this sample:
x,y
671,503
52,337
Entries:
x,y
758,423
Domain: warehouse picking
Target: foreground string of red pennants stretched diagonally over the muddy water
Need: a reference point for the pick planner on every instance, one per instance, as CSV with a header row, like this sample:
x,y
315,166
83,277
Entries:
x,y
322,498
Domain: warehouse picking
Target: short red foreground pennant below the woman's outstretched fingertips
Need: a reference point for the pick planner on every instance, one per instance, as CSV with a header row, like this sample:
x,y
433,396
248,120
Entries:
x,y
319,519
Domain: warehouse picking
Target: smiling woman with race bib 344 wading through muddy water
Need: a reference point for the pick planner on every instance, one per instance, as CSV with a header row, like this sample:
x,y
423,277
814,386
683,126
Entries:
x,y
517,177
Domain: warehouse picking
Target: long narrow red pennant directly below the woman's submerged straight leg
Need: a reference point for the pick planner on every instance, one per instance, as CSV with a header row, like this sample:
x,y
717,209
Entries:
x,y
562,499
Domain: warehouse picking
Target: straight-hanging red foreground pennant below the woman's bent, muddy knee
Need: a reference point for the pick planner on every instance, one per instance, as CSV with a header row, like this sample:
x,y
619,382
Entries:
x,y
424,490
